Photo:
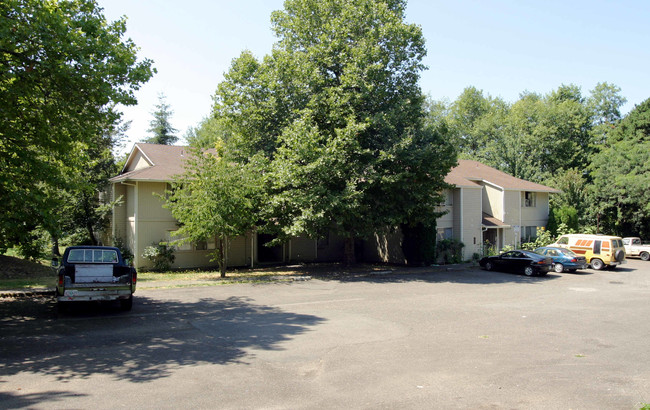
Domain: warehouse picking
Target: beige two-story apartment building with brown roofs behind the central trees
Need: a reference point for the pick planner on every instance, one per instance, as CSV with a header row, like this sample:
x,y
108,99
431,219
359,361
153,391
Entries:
x,y
485,204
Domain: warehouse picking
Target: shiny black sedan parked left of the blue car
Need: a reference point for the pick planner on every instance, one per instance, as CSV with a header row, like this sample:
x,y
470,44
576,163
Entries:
x,y
530,263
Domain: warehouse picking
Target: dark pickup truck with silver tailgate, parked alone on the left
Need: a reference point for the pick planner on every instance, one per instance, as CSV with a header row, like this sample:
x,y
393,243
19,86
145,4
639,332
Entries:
x,y
94,273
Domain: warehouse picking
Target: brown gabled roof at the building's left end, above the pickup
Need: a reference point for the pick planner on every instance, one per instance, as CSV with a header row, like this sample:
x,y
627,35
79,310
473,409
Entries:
x,y
164,162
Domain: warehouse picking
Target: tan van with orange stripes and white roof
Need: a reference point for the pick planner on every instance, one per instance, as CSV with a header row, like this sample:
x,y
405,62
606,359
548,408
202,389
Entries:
x,y
600,250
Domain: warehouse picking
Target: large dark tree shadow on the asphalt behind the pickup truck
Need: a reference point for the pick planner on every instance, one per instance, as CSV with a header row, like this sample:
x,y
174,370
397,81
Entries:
x,y
148,343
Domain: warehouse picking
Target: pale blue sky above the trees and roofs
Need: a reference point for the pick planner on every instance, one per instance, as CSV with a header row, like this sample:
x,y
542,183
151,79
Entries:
x,y
501,47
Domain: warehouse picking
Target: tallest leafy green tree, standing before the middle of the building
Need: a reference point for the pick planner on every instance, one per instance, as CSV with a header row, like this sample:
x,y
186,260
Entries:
x,y
353,154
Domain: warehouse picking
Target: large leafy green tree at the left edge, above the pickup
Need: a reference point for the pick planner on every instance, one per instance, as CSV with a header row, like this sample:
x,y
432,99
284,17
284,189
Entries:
x,y
63,69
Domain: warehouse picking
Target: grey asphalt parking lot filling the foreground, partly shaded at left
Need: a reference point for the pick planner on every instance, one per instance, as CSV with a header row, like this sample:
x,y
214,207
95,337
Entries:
x,y
447,339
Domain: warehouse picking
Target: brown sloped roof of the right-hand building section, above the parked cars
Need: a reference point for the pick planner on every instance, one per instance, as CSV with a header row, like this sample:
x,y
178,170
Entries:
x,y
470,173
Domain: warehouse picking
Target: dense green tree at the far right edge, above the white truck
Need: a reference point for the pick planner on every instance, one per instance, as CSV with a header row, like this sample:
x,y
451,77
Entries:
x,y
621,177
